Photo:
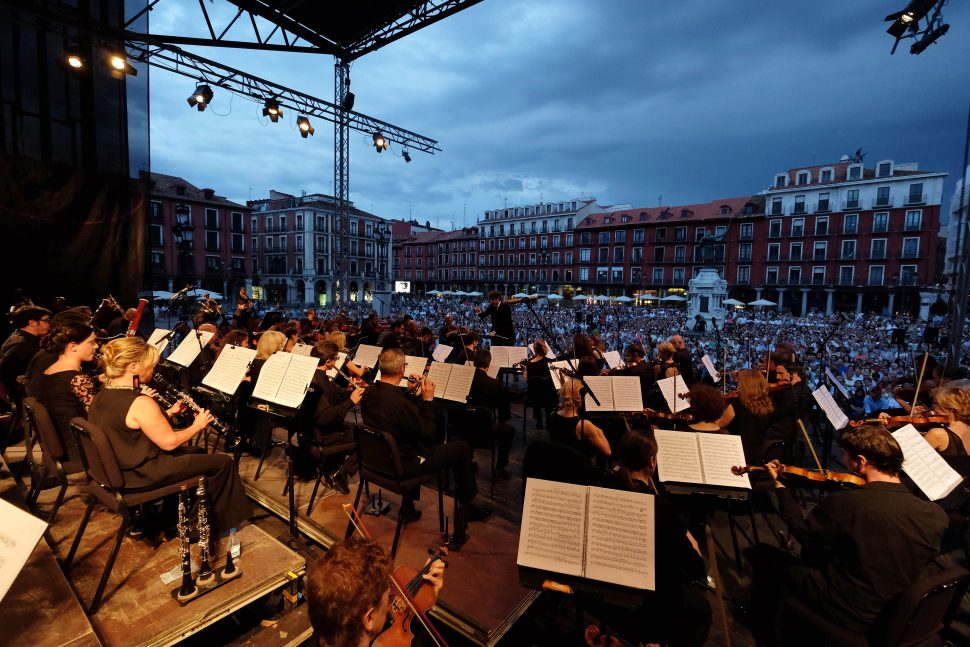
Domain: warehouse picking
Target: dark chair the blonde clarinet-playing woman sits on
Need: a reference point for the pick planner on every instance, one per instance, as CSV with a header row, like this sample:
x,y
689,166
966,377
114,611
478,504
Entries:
x,y
106,486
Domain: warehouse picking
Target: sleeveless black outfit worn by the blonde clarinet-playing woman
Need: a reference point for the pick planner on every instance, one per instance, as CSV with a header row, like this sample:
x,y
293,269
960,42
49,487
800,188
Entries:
x,y
144,465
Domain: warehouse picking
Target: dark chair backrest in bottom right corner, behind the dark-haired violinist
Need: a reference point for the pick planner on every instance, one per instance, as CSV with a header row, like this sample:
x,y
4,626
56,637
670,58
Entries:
x,y
925,608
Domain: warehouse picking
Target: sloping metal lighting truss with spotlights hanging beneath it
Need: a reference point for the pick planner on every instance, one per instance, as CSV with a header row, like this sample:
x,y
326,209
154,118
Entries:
x,y
168,57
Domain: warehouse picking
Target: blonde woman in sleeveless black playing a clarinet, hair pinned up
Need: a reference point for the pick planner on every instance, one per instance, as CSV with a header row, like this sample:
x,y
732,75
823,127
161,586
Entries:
x,y
151,453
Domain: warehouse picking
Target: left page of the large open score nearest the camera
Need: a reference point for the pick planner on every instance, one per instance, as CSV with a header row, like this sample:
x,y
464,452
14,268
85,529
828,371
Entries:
x,y
553,523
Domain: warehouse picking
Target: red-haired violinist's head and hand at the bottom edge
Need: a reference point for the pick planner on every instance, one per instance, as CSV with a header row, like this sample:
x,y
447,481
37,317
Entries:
x,y
348,593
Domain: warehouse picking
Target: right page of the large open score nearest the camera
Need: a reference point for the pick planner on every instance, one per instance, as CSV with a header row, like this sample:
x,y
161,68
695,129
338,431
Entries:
x,y
620,537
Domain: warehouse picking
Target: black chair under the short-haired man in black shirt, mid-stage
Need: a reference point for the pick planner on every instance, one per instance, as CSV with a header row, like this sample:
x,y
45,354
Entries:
x,y
380,464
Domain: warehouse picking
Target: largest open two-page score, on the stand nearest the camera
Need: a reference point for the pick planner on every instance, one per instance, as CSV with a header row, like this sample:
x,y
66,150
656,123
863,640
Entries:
x,y
591,532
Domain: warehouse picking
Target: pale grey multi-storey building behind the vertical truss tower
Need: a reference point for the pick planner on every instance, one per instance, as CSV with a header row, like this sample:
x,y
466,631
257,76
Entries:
x,y
293,240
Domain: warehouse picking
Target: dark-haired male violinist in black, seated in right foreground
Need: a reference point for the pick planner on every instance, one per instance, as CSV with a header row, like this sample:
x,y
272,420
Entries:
x,y
860,547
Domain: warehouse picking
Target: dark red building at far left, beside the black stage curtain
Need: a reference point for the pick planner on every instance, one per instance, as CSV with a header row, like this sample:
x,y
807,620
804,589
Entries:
x,y
196,237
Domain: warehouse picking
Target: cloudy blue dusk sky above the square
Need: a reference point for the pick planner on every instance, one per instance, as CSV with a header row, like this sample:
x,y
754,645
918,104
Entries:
x,y
627,101
